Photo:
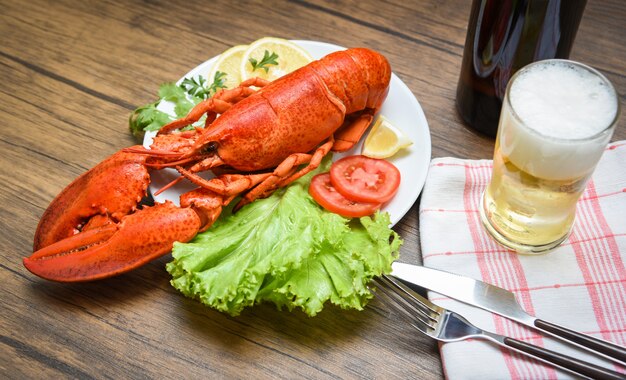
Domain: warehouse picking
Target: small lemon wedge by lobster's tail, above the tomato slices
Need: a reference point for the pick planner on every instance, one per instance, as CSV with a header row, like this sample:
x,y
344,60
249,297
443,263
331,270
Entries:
x,y
384,140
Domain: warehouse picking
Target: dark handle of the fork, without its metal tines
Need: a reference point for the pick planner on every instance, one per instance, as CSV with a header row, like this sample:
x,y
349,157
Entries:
x,y
586,369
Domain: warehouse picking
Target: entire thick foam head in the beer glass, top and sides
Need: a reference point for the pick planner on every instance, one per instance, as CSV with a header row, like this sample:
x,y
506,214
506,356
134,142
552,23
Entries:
x,y
563,112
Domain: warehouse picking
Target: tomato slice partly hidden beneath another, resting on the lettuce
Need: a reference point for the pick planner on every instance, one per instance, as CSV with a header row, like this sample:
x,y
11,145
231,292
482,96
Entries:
x,y
325,194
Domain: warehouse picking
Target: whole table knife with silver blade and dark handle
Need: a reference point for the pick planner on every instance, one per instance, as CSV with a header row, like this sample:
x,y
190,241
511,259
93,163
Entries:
x,y
502,302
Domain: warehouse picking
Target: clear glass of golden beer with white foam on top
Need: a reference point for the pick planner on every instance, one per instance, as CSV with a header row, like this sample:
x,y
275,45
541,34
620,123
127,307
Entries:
x,y
556,121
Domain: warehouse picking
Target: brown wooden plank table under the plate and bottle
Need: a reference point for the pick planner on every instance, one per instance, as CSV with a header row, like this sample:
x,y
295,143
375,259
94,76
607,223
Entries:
x,y
72,71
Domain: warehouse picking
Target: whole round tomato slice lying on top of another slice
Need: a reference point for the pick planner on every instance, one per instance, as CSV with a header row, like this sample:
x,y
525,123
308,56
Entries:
x,y
365,179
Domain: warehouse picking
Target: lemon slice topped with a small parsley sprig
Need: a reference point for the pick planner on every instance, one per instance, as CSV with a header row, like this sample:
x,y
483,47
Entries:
x,y
289,58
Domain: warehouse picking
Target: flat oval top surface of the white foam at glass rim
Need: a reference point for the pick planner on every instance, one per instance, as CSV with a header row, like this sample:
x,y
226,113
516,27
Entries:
x,y
562,100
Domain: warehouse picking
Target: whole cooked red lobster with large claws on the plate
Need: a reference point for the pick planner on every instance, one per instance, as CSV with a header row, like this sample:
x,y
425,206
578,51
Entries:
x,y
263,140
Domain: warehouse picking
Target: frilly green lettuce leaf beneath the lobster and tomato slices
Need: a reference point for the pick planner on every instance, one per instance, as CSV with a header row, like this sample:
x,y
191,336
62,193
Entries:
x,y
288,250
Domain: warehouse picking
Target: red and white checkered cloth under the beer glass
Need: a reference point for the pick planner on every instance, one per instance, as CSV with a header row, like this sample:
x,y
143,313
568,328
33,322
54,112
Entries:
x,y
580,285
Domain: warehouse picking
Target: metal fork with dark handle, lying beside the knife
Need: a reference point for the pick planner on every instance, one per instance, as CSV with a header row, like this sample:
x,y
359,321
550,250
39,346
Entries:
x,y
447,326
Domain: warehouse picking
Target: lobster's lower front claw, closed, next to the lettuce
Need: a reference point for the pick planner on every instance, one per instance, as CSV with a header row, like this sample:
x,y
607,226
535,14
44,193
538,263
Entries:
x,y
113,249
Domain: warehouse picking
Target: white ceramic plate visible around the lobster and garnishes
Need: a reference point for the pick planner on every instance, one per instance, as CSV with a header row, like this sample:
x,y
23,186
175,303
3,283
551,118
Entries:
x,y
400,107
